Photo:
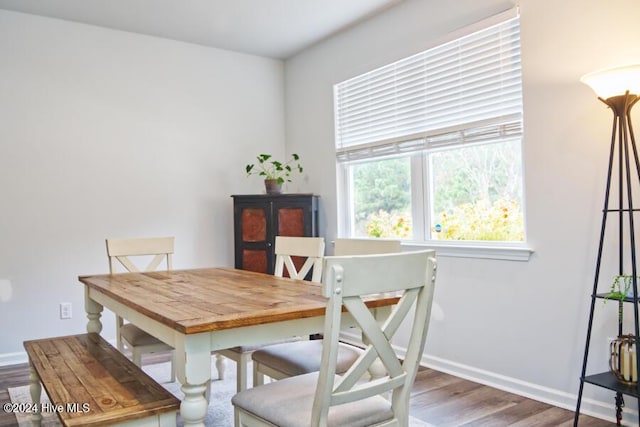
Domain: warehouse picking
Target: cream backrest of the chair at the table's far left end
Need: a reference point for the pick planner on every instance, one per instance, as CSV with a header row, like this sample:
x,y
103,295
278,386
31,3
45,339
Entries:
x,y
158,249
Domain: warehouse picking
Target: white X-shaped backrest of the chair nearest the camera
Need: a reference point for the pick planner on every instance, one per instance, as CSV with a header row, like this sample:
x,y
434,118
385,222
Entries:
x,y
346,282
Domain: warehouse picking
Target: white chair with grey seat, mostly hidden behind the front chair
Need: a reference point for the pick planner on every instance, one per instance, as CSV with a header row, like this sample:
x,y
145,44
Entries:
x,y
285,360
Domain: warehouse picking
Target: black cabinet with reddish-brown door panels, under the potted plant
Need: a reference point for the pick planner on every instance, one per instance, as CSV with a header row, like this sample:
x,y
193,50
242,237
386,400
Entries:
x,y
257,219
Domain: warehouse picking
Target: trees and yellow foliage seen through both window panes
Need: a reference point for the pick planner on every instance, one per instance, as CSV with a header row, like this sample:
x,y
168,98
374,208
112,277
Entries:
x,y
475,195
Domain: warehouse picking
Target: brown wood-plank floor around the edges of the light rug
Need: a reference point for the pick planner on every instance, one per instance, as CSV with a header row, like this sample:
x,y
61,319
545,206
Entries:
x,y
440,399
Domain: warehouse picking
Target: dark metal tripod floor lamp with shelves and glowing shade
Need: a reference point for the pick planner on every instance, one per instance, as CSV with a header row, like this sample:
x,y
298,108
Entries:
x,y
618,88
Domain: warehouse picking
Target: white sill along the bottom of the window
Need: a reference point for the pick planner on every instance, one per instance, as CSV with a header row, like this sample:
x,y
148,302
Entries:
x,y
507,252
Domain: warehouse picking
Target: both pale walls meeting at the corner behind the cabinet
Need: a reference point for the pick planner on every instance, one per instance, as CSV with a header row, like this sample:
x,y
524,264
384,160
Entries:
x,y
106,133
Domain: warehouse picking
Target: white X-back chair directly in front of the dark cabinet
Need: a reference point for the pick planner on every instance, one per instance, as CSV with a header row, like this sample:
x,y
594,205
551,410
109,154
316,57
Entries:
x,y
296,257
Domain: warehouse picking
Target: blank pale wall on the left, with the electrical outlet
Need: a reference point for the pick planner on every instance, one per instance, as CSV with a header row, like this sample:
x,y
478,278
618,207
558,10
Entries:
x,y
110,134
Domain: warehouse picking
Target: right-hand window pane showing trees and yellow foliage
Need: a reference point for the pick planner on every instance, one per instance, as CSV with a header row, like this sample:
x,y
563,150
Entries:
x,y
477,193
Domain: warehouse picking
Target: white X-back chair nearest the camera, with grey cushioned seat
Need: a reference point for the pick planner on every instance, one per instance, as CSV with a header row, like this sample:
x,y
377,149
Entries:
x,y
325,398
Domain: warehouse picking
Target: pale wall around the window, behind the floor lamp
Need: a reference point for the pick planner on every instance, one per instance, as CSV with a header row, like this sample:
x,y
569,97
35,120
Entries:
x,y
518,325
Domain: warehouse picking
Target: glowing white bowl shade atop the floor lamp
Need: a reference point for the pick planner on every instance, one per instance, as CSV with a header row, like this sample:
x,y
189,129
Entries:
x,y
614,81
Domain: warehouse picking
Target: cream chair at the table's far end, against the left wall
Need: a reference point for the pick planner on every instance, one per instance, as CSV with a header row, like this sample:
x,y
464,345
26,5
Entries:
x,y
155,250
